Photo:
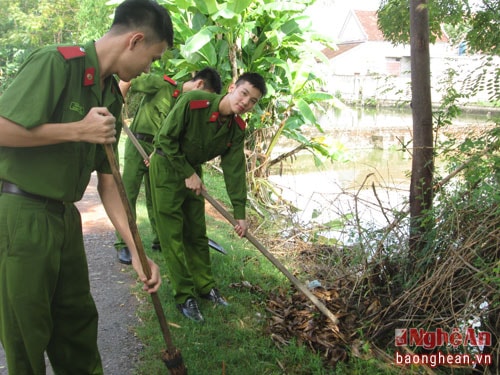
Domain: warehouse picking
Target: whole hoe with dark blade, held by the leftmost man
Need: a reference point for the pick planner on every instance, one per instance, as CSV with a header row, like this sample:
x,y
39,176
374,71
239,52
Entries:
x,y
171,356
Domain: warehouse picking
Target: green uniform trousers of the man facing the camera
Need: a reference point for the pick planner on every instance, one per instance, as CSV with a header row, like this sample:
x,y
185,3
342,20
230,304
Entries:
x,y
180,219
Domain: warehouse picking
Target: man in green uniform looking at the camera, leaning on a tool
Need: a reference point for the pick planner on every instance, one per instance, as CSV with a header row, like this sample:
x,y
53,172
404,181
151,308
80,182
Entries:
x,y
200,127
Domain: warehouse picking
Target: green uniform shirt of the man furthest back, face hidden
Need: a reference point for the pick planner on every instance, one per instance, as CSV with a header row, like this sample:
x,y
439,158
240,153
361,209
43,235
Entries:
x,y
160,93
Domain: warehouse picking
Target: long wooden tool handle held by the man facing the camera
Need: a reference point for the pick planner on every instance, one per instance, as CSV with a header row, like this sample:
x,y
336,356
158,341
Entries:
x,y
321,307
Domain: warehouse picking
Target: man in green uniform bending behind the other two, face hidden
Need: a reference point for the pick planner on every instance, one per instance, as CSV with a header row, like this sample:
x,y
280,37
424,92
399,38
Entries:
x,y
160,94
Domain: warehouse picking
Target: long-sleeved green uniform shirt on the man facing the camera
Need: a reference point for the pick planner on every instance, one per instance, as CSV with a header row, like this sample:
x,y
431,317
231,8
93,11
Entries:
x,y
193,134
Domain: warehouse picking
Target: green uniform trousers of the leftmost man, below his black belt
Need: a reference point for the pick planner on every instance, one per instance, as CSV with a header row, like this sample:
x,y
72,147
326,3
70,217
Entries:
x,y
45,300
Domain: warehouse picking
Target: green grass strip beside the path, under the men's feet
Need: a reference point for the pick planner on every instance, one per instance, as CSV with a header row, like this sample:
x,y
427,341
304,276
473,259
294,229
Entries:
x,y
234,339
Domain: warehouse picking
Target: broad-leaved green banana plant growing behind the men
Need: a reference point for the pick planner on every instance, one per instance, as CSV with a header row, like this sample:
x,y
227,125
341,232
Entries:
x,y
273,38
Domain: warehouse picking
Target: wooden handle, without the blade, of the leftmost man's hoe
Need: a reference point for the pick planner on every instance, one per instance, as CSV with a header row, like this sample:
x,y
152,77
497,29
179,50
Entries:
x,y
138,244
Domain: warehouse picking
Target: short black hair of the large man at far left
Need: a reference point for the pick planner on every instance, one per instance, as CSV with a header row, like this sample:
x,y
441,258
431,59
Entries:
x,y
145,14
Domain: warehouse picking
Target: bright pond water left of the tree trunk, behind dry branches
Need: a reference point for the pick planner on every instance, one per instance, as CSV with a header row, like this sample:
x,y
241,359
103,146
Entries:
x,y
372,175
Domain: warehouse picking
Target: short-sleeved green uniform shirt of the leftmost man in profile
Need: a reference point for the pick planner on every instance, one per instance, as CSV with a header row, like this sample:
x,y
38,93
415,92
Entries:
x,y
57,85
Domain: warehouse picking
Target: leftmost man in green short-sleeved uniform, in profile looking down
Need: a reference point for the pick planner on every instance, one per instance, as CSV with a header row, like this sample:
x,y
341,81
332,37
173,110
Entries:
x,y
56,115
